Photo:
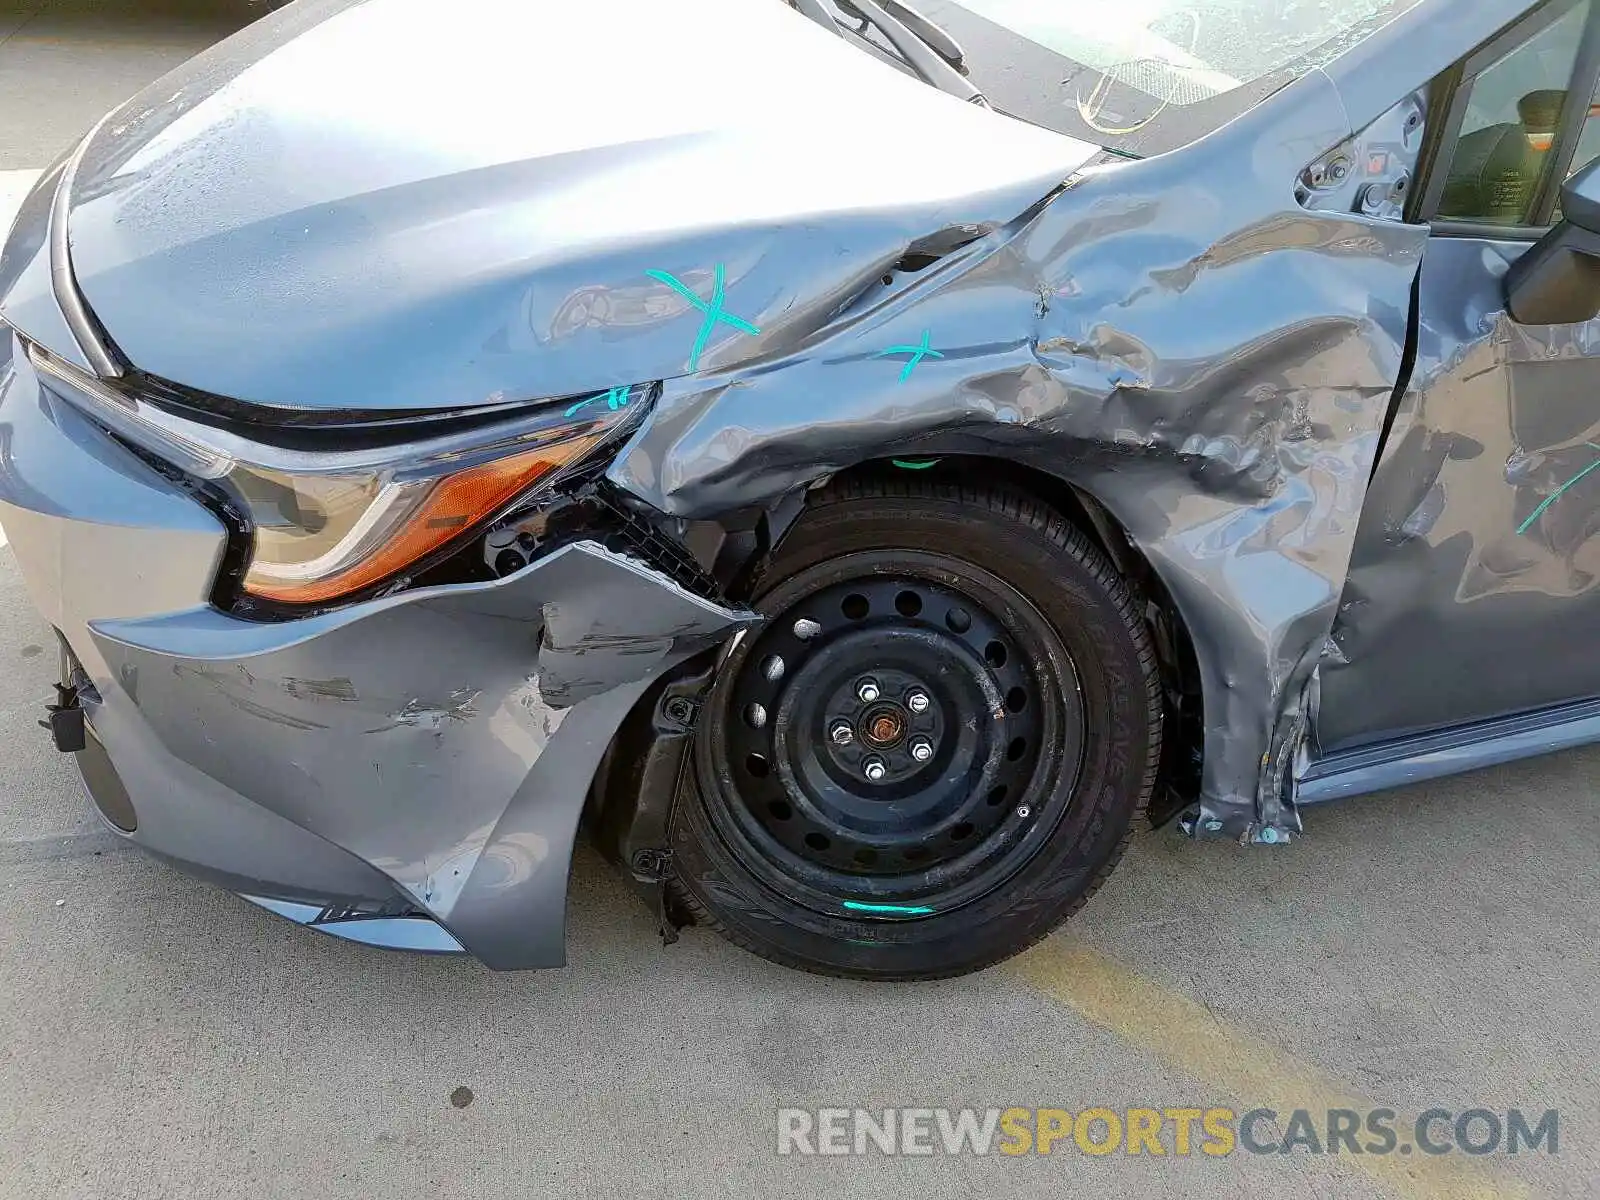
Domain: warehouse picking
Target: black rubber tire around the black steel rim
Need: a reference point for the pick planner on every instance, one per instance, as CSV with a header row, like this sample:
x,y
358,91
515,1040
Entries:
x,y
1098,618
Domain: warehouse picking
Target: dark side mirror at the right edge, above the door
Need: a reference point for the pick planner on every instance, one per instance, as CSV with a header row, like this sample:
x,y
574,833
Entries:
x,y
1558,282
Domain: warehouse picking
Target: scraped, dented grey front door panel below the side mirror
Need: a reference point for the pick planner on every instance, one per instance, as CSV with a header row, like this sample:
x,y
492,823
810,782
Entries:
x,y
1479,550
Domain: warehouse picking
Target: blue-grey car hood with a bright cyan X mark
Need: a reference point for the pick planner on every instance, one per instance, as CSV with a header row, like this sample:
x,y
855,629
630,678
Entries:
x,y
370,207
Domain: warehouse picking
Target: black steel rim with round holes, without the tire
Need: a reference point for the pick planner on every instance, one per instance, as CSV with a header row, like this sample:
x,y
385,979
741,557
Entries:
x,y
886,734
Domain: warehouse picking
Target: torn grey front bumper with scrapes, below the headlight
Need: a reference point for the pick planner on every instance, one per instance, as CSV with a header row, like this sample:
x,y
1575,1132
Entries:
x,y
428,753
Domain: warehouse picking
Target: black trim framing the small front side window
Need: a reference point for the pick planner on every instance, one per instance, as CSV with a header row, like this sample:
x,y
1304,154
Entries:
x,y
1452,92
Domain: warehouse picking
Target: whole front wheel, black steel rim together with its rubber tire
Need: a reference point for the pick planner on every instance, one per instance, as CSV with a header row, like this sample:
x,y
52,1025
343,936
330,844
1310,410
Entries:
x,y
932,751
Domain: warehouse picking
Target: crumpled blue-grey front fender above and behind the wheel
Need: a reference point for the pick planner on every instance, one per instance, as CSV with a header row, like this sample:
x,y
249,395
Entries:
x,y
1204,354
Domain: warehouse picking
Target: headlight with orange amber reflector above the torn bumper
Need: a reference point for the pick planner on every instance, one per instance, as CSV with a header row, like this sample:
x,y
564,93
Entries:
x,y
329,526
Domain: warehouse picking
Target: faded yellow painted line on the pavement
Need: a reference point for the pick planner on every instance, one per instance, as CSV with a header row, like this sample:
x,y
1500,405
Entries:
x,y
1183,1034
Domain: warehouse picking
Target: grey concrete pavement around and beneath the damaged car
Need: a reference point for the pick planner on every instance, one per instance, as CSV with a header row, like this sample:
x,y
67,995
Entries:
x,y
1428,948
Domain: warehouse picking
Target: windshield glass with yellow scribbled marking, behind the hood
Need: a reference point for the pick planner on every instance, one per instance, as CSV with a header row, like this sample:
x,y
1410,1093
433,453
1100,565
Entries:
x,y
1148,76
